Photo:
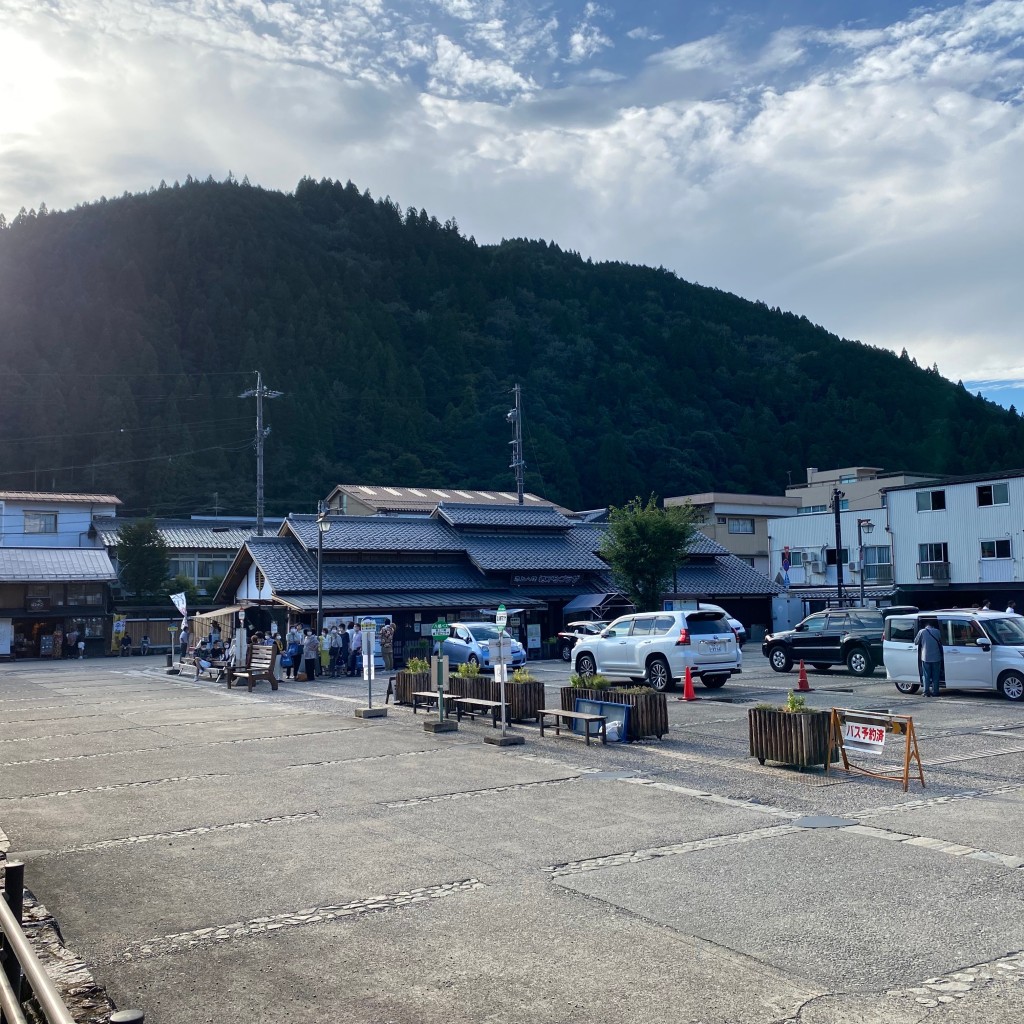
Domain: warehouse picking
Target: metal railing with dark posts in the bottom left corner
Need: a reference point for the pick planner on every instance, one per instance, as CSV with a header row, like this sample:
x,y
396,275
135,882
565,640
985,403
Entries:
x,y
22,975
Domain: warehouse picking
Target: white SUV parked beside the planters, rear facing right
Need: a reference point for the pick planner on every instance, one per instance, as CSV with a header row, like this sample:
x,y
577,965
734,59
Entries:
x,y
658,648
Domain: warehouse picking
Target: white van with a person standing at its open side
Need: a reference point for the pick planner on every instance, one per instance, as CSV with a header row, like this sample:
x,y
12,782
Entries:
x,y
982,651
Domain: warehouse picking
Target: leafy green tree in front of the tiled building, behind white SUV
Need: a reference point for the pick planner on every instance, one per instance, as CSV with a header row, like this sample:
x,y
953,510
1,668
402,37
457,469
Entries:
x,y
645,543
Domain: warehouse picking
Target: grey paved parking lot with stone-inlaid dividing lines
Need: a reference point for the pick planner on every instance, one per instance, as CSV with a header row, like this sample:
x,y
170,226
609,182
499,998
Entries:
x,y
211,854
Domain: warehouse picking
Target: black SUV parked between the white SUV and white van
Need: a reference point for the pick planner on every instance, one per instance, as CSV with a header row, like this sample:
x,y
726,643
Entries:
x,y
836,636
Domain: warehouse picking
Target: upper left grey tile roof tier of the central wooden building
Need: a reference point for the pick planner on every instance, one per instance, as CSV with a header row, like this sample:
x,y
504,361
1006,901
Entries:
x,y
364,533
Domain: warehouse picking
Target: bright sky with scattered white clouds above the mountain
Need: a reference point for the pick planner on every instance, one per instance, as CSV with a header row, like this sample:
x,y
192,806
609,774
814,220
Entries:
x,y
859,162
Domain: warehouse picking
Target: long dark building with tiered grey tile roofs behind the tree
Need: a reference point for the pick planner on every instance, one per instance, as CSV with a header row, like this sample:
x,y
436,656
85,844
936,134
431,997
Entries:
x,y
459,563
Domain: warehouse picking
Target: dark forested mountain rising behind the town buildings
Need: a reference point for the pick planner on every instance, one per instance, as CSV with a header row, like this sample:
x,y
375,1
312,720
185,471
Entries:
x,y
130,328
